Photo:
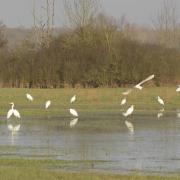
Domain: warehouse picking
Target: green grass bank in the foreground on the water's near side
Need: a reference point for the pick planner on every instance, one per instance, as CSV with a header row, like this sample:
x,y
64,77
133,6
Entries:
x,y
21,169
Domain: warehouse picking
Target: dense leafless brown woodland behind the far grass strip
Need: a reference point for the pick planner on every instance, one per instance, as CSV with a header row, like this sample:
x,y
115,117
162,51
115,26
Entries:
x,y
97,52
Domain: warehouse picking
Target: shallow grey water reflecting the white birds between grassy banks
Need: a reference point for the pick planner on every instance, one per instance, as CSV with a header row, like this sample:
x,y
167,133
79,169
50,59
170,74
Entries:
x,y
103,139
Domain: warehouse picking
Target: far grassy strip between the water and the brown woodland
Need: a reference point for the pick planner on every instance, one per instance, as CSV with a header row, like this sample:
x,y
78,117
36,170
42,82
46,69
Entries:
x,y
88,100
